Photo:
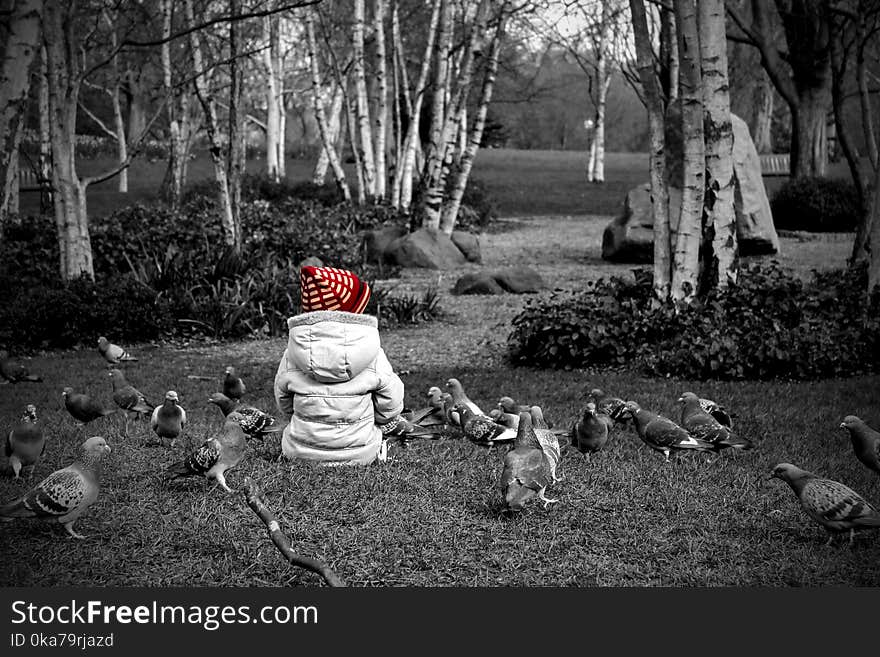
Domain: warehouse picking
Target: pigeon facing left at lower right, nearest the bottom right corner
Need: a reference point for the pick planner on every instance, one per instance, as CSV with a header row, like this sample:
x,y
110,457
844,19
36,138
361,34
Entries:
x,y
836,507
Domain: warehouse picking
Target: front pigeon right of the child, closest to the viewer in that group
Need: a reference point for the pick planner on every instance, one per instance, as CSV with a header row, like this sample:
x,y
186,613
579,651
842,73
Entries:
x,y
526,472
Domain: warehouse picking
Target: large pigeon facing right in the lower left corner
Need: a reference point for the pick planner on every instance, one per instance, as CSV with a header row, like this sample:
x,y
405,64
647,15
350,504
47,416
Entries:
x,y
65,494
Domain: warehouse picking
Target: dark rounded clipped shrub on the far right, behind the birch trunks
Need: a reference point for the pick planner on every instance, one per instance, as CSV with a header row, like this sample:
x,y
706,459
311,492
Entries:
x,y
816,205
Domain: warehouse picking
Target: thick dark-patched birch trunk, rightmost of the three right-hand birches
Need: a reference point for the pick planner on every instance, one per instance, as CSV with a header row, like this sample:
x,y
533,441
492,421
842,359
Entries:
x,y
718,133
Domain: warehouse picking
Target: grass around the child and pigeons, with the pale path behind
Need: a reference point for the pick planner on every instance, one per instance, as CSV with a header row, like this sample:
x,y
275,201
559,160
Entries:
x,y
431,517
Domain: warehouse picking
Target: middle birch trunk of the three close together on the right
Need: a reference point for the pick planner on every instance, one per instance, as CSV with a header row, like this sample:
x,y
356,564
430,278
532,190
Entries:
x,y
685,268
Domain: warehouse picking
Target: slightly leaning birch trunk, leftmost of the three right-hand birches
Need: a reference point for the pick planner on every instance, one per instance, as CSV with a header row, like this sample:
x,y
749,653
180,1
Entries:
x,y
659,190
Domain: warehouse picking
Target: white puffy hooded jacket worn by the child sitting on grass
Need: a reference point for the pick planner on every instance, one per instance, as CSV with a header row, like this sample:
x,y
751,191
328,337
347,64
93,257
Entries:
x,y
336,387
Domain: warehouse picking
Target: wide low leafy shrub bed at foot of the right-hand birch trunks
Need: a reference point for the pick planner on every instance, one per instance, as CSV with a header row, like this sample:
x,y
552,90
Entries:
x,y
769,325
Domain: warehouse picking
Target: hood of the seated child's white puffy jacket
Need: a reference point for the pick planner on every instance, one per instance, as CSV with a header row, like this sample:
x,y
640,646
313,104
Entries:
x,y
332,345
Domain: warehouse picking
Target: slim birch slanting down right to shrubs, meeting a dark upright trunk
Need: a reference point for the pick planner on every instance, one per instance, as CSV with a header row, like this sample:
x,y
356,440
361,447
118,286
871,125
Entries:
x,y
231,233
